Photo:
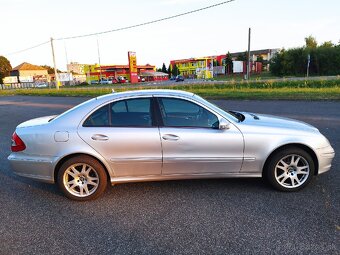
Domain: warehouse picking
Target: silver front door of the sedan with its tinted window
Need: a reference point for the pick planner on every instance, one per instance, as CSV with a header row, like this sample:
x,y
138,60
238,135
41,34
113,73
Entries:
x,y
192,142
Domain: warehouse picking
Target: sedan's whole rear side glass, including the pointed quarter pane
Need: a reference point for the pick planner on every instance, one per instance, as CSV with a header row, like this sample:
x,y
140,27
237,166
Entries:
x,y
124,113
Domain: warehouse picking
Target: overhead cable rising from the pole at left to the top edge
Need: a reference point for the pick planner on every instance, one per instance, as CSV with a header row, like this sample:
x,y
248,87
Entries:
x,y
146,23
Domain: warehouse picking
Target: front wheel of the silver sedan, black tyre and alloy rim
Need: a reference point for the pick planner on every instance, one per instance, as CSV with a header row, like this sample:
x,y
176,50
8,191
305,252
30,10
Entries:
x,y
290,169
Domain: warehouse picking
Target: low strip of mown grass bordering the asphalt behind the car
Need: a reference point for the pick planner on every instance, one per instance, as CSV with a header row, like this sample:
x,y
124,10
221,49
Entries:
x,y
207,91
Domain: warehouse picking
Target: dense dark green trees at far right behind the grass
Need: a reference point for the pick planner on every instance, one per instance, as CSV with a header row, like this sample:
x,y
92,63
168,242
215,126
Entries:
x,y
324,59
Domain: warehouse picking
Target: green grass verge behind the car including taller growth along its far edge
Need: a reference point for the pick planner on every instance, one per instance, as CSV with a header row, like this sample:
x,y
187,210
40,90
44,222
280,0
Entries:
x,y
270,90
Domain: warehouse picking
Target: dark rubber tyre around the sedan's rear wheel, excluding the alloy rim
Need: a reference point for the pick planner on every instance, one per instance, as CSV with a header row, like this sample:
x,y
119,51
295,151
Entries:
x,y
91,162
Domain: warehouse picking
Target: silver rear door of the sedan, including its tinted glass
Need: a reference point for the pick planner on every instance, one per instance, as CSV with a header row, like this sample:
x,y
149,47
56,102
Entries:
x,y
125,134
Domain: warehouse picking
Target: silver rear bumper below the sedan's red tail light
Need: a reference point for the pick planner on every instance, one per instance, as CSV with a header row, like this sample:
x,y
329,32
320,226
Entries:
x,y
35,167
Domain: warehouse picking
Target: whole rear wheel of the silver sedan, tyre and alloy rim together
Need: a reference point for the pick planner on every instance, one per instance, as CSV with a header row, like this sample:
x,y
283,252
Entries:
x,y
82,178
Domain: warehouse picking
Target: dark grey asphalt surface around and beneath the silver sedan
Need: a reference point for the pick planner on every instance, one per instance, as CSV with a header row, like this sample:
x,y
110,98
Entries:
x,y
224,216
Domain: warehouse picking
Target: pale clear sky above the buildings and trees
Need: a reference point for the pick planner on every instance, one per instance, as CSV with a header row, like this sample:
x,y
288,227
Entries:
x,y
215,31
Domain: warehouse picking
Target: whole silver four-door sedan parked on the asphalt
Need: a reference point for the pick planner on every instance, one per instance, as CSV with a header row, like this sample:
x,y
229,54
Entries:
x,y
154,135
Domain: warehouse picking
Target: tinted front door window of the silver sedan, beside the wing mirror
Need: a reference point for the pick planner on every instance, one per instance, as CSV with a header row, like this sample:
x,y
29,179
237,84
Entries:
x,y
182,113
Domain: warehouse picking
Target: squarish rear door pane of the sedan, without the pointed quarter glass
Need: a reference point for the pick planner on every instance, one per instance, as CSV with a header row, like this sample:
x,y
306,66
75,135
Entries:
x,y
131,112
